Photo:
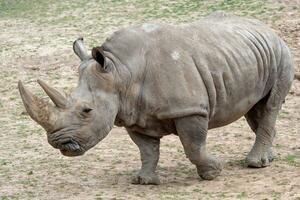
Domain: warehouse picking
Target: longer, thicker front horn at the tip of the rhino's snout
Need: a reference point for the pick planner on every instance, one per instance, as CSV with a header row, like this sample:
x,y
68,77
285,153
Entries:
x,y
39,110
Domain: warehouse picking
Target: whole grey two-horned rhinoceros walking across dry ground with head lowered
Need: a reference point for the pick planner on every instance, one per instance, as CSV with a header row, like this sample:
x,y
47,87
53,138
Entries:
x,y
157,79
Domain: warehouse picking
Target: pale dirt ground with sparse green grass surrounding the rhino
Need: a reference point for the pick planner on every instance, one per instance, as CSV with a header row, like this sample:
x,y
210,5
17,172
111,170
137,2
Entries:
x,y
36,42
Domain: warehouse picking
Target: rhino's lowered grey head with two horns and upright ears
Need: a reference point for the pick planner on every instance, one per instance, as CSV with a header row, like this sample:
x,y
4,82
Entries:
x,y
78,122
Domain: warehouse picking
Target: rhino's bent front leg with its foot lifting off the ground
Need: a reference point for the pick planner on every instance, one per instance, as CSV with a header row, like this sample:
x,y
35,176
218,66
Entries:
x,y
192,133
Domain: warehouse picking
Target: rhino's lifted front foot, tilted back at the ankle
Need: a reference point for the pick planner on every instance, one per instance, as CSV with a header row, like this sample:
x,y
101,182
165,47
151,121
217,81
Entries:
x,y
210,169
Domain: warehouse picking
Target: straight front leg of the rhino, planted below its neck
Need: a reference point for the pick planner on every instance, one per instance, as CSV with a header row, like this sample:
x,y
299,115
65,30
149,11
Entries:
x,y
149,150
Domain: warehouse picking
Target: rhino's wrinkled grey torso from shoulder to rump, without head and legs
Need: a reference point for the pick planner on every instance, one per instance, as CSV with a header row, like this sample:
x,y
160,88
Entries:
x,y
219,66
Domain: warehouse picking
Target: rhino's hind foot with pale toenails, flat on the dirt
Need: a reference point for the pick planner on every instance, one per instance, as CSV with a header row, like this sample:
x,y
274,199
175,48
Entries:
x,y
260,159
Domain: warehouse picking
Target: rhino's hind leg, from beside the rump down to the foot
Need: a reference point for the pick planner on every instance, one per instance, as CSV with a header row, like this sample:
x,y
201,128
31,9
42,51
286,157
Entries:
x,y
262,118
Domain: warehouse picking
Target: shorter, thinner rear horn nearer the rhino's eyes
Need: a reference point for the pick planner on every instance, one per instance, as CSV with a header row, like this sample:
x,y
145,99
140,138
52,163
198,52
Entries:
x,y
58,99
